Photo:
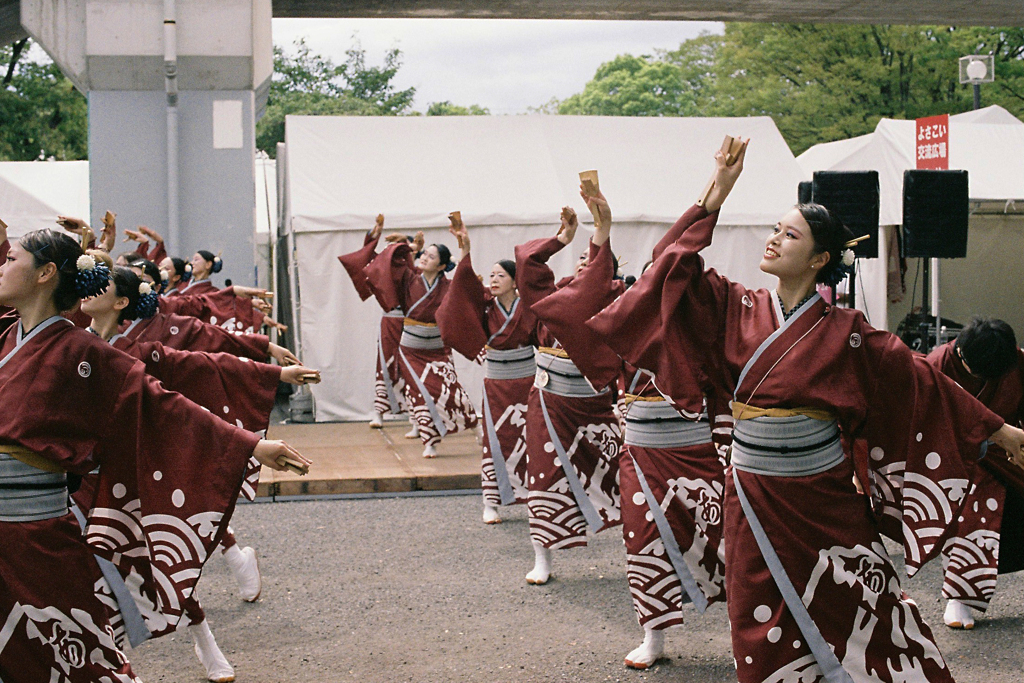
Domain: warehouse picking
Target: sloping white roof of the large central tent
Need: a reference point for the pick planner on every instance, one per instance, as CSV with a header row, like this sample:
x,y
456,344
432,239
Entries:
x,y
343,172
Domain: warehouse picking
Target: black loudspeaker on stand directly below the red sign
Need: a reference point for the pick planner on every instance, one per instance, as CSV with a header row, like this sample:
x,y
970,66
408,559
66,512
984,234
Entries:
x,y
935,215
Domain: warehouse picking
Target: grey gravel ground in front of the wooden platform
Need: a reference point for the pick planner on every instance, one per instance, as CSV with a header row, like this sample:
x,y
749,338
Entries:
x,y
418,589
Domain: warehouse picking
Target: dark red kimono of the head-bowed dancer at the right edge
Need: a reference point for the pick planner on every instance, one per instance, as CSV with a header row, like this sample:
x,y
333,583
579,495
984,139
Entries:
x,y
988,542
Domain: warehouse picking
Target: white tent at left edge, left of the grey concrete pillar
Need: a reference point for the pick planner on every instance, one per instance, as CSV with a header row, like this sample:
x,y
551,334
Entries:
x,y
34,194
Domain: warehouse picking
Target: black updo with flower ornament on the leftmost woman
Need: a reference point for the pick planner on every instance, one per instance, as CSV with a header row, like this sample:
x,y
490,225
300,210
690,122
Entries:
x,y
73,284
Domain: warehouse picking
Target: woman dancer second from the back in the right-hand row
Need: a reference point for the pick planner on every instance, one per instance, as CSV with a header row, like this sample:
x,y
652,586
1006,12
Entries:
x,y
440,405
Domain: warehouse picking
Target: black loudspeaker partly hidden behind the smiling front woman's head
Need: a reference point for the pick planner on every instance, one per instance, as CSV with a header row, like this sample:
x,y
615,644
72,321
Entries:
x,y
854,196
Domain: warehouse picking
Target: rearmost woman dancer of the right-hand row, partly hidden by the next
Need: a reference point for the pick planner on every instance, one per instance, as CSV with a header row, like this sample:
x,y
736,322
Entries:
x,y
390,388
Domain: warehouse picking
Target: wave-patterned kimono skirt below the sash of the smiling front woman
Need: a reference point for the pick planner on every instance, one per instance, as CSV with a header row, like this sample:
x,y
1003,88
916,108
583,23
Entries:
x,y
826,538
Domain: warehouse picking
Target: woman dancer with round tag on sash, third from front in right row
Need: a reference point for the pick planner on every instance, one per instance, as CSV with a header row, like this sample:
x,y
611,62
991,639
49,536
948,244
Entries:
x,y
573,435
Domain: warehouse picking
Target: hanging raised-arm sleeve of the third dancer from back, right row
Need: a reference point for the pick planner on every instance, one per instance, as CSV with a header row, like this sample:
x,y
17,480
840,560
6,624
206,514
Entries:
x,y
461,315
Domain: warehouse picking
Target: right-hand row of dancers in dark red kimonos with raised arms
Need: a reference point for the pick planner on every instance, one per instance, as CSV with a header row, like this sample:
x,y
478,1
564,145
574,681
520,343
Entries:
x,y
755,446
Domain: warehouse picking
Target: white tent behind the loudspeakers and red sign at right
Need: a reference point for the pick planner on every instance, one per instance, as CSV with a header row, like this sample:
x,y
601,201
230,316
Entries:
x,y
990,145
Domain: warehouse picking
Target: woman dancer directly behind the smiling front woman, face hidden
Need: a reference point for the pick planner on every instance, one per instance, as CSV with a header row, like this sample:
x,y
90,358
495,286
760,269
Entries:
x,y
672,479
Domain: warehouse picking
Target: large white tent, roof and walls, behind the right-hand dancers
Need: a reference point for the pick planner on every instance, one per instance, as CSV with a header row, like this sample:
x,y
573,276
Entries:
x,y
509,177
